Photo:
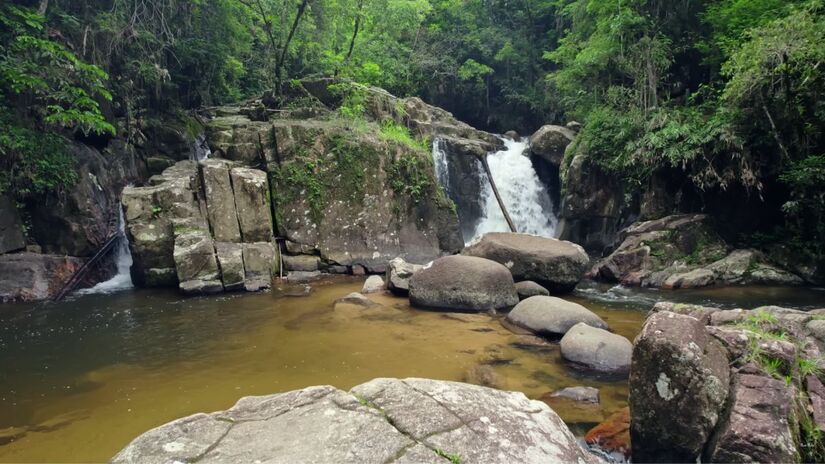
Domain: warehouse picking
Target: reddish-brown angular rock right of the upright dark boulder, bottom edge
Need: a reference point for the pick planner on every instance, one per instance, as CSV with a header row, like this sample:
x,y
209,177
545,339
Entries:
x,y
760,425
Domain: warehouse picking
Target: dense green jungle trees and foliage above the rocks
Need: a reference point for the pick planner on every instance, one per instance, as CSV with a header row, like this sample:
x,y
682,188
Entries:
x,y
727,92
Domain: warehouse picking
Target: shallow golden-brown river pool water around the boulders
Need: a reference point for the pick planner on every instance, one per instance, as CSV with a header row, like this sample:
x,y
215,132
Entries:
x,y
80,379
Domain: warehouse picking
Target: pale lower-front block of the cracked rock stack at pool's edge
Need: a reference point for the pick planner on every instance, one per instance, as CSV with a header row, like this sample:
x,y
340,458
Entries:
x,y
196,264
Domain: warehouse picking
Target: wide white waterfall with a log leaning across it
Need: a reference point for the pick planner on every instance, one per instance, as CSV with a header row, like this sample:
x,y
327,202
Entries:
x,y
525,197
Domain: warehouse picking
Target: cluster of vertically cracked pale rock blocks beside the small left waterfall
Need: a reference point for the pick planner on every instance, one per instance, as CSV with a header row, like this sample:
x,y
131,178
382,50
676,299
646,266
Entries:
x,y
205,227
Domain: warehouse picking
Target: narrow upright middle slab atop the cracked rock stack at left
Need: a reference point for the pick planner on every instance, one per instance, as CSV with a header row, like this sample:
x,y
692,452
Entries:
x,y
220,200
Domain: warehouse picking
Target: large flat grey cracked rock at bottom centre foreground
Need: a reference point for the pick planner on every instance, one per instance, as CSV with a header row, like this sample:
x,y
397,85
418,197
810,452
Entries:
x,y
381,421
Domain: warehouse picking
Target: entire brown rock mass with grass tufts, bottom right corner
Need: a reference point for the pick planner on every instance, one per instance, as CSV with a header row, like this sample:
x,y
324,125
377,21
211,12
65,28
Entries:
x,y
727,385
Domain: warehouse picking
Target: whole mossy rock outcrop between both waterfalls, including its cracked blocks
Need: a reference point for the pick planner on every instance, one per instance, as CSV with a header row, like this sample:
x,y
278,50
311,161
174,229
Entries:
x,y
342,194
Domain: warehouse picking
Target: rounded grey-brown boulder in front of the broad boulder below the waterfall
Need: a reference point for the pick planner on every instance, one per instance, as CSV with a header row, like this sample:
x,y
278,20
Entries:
x,y
463,283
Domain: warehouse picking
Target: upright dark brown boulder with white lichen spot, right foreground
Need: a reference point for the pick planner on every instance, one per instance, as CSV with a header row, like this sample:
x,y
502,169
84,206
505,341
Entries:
x,y
679,380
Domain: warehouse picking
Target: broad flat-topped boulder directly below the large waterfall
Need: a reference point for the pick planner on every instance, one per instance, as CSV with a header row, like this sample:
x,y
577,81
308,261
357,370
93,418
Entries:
x,y
558,265
